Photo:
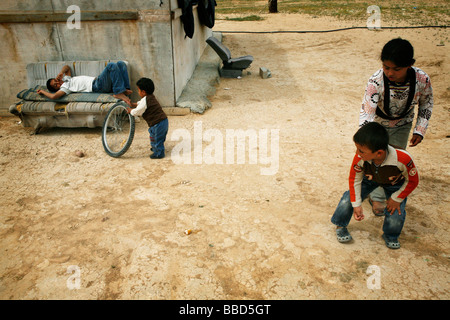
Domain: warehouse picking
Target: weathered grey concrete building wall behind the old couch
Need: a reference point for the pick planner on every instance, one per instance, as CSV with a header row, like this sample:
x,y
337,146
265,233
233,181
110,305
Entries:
x,y
153,43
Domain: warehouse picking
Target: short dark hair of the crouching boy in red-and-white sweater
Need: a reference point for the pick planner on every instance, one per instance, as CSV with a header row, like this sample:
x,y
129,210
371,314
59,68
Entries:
x,y
373,136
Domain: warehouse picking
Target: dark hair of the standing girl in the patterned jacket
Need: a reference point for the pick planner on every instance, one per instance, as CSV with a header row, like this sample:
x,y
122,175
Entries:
x,y
399,51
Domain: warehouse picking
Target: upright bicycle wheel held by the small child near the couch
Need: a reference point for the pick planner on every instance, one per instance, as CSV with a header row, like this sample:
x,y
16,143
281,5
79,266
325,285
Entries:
x,y
118,130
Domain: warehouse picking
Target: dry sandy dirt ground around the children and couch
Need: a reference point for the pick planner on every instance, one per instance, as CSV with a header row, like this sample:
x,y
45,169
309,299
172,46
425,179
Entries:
x,y
98,227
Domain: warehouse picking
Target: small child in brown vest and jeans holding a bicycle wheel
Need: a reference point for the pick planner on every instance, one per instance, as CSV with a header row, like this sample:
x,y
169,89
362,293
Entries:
x,y
150,109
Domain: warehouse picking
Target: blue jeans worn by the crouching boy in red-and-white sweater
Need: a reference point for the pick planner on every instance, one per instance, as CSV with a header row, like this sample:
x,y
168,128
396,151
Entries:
x,y
393,224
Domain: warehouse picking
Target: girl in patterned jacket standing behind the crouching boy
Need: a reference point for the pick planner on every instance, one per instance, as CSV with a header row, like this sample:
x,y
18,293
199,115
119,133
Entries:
x,y
390,99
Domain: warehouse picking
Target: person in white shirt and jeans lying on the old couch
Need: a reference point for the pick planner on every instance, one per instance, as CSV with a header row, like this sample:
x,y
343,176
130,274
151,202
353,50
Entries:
x,y
114,78
